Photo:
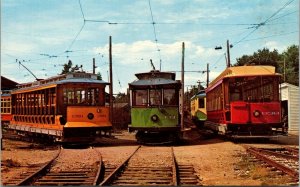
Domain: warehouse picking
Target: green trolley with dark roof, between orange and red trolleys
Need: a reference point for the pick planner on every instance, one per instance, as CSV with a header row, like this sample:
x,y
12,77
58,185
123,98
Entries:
x,y
154,100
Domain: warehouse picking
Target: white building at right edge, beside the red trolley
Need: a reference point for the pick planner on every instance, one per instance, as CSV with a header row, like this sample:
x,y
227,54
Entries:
x,y
290,102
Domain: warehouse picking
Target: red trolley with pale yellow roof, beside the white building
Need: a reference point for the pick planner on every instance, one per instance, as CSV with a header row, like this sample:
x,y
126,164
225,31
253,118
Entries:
x,y
245,101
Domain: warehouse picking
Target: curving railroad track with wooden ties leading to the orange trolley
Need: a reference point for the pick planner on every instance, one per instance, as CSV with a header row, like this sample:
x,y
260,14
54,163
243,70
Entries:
x,y
55,174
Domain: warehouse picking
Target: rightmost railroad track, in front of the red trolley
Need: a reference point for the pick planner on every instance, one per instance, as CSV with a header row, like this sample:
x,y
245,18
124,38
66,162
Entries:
x,y
283,159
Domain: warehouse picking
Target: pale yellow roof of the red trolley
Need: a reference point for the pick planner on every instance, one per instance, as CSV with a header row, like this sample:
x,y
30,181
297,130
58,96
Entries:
x,y
245,71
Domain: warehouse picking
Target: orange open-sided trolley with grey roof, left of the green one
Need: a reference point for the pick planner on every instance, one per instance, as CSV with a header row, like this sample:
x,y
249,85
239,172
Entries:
x,y
67,108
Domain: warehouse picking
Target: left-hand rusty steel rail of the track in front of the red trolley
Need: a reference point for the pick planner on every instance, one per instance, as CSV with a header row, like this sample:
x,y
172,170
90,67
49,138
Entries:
x,y
273,163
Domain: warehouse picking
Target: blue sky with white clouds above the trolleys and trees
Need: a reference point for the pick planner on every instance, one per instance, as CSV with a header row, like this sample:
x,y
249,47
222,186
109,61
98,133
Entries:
x,y
44,35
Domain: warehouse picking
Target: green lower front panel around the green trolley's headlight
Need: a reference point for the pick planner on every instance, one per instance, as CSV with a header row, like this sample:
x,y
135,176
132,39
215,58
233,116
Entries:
x,y
167,117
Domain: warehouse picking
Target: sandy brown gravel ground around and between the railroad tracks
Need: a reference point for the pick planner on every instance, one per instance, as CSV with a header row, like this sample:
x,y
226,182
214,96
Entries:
x,y
215,160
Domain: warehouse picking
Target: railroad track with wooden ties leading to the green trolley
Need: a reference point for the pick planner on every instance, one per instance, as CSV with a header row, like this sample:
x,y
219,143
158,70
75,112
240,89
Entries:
x,y
133,172
